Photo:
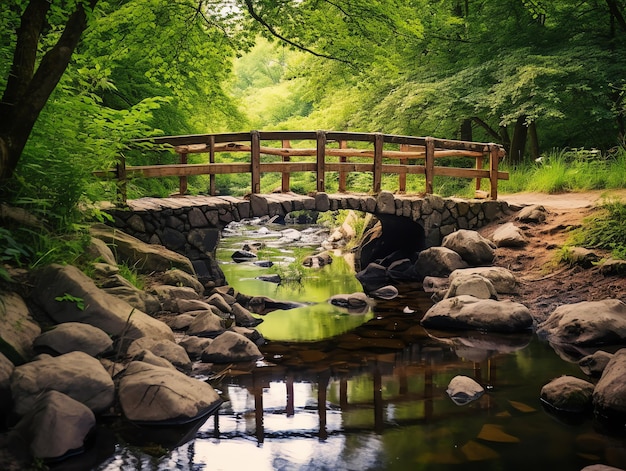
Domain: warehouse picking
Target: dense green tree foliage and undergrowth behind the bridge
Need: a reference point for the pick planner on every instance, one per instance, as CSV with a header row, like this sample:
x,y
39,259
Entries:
x,y
81,78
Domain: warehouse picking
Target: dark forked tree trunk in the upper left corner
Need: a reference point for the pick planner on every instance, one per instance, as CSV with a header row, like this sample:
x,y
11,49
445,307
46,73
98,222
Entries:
x,y
27,90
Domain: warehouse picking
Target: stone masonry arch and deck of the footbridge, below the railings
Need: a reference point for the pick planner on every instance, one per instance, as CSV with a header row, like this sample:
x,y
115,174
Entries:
x,y
192,225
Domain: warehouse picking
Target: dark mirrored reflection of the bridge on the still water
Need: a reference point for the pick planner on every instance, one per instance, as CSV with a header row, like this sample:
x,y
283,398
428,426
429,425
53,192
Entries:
x,y
404,368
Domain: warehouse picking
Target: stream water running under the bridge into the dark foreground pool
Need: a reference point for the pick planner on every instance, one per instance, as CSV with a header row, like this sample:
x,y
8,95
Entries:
x,y
366,390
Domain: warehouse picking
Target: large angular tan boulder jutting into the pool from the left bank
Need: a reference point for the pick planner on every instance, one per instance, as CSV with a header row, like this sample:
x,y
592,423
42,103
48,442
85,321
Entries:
x,y
154,394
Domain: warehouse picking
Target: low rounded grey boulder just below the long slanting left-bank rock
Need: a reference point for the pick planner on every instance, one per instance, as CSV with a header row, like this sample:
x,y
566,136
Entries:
x,y
74,336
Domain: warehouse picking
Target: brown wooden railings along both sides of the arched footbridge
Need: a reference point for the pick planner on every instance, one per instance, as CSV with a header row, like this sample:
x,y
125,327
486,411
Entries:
x,y
412,155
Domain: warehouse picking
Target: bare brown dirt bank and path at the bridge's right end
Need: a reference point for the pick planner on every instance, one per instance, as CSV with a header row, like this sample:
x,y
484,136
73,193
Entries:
x,y
544,283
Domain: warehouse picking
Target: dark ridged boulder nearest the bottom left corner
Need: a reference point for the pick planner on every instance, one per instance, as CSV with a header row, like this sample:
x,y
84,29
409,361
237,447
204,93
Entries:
x,y
56,426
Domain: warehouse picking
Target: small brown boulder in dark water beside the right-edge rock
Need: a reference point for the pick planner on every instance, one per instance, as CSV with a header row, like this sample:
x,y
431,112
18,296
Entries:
x,y
568,394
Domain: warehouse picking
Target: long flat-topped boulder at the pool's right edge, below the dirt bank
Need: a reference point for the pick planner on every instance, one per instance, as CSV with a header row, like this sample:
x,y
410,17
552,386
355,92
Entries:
x,y
469,313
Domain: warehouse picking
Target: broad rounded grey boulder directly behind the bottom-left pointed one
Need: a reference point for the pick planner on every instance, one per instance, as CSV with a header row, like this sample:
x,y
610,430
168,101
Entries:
x,y
77,374
